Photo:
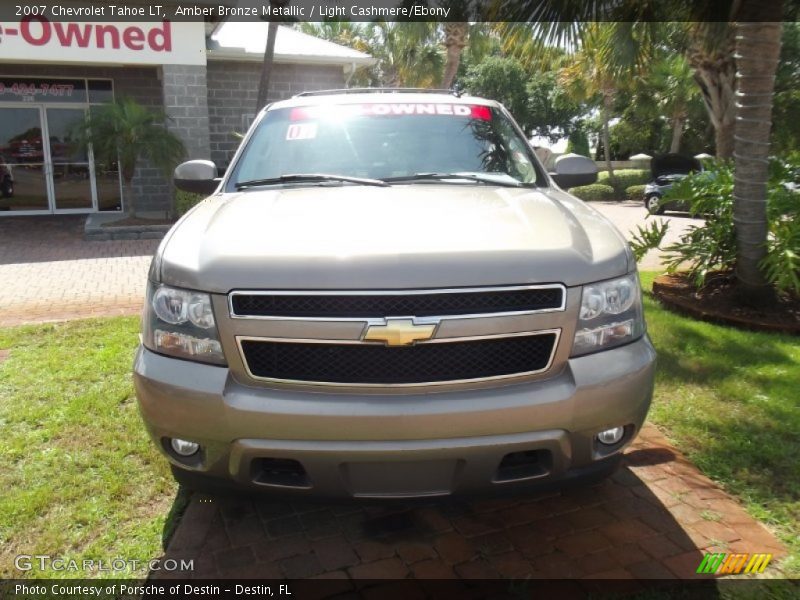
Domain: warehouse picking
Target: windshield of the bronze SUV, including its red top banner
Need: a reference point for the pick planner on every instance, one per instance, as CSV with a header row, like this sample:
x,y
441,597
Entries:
x,y
388,141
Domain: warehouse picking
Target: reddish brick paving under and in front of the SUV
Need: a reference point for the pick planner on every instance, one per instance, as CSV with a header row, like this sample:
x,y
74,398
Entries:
x,y
653,519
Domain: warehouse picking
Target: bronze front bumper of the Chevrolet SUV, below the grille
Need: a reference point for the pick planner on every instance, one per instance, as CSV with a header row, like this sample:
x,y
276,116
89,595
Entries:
x,y
368,445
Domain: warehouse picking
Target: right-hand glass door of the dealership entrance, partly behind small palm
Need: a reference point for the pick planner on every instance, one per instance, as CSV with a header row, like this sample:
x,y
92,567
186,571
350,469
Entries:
x,y
70,168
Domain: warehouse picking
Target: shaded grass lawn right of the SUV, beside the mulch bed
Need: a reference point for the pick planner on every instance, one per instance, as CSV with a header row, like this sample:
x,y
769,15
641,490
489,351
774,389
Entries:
x,y
730,400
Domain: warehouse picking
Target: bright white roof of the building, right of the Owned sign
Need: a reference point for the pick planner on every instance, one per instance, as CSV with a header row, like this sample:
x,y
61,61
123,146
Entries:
x,y
235,40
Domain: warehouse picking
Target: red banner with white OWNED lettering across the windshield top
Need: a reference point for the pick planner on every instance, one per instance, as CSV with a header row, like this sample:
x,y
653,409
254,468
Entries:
x,y
380,109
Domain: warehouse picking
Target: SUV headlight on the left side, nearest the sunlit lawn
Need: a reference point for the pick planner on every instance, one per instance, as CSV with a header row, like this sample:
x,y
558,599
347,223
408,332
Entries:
x,y
181,323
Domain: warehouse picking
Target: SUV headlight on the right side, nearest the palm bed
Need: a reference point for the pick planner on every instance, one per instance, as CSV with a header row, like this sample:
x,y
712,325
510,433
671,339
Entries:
x,y
610,315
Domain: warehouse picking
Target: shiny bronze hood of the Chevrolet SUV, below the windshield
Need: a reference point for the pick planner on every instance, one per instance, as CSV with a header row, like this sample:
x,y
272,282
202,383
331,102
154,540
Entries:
x,y
399,237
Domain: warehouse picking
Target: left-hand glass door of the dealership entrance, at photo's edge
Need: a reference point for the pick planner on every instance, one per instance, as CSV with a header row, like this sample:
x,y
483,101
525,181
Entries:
x,y
23,170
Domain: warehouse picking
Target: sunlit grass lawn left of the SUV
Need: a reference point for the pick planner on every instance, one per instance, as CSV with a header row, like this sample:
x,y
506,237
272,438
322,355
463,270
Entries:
x,y
79,476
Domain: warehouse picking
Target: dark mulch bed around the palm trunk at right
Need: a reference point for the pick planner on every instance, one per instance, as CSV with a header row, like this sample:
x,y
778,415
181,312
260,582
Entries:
x,y
716,302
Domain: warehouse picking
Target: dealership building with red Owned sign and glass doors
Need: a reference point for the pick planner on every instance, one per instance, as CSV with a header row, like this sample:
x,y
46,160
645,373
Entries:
x,y
203,75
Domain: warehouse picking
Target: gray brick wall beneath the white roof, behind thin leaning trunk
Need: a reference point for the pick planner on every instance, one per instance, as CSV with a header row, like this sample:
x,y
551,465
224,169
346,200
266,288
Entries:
x,y
233,91
